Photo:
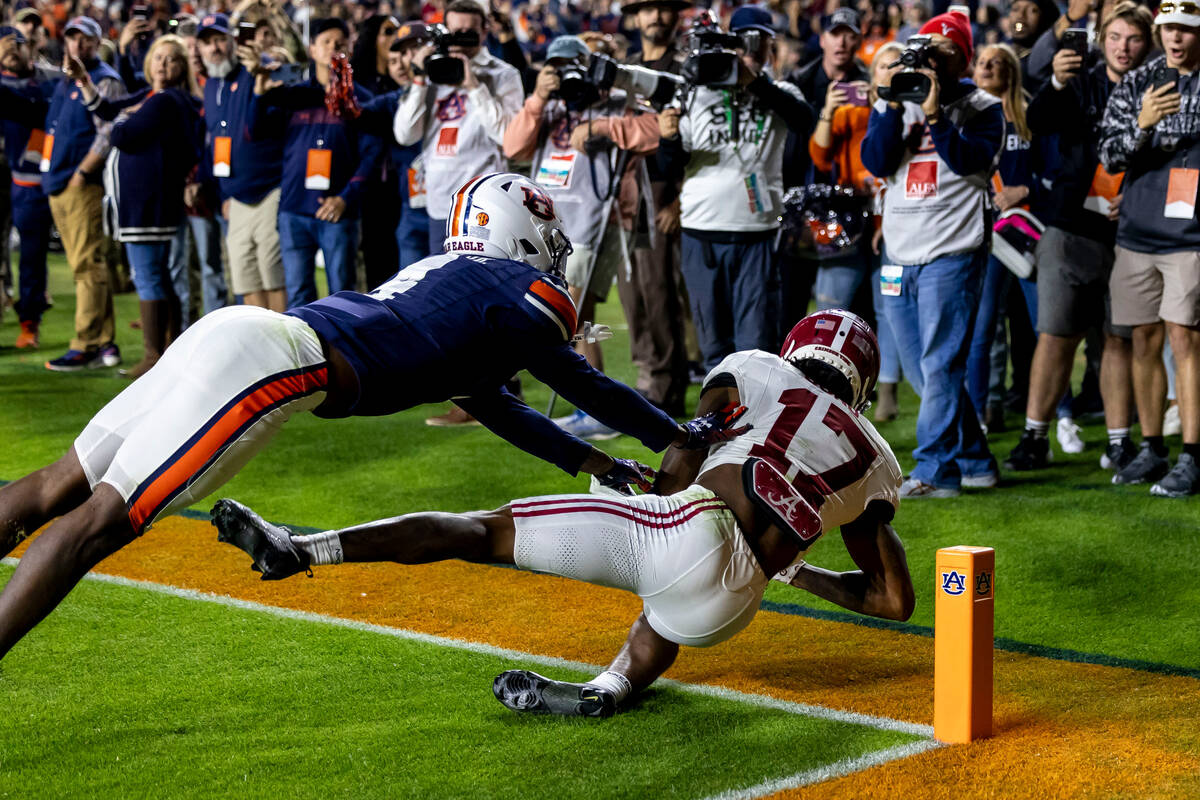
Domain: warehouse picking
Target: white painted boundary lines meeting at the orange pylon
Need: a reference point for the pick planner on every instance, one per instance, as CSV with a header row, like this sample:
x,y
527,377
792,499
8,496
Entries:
x,y
818,775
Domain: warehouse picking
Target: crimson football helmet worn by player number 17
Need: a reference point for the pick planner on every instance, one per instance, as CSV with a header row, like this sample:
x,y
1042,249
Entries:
x,y
843,341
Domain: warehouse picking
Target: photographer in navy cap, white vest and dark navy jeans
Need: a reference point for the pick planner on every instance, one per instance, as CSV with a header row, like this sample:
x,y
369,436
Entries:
x,y
729,145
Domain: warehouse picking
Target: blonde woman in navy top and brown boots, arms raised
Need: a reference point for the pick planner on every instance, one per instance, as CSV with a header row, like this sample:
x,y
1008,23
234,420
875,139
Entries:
x,y
157,143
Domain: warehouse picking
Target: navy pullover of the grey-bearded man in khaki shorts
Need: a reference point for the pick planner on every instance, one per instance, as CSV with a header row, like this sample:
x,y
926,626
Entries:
x,y
256,166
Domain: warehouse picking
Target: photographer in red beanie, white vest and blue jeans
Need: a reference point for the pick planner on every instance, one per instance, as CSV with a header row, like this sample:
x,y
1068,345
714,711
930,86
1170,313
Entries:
x,y
935,140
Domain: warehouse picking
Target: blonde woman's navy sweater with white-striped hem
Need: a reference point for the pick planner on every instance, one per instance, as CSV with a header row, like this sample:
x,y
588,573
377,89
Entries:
x,y
157,149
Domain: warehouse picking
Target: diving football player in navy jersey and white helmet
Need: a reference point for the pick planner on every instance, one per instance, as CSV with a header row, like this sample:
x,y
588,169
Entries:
x,y
455,326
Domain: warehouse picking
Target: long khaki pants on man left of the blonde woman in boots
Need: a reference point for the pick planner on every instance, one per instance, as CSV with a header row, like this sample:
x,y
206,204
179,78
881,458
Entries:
x,y
77,215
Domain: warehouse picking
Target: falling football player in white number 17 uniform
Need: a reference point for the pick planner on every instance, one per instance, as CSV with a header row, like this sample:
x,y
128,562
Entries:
x,y
701,551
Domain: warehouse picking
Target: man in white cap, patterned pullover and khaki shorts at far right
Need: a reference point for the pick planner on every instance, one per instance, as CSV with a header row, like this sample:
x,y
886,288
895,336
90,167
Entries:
x,y
1151,130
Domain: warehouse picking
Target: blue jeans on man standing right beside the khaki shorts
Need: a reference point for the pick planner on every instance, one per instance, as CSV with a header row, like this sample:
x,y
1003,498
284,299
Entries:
x,y
301,238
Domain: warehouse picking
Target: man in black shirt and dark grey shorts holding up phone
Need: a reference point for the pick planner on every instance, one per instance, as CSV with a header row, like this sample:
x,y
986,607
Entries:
x,y
1075,257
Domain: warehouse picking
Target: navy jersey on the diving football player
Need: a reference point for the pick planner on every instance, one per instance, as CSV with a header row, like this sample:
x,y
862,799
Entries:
x,y
457,328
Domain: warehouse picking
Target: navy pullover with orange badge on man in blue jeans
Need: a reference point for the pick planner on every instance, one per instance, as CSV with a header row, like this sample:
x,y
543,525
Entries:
x,y
298,113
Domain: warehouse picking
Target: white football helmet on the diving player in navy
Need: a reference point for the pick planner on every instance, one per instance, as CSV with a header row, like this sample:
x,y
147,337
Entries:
x,y
506,215
